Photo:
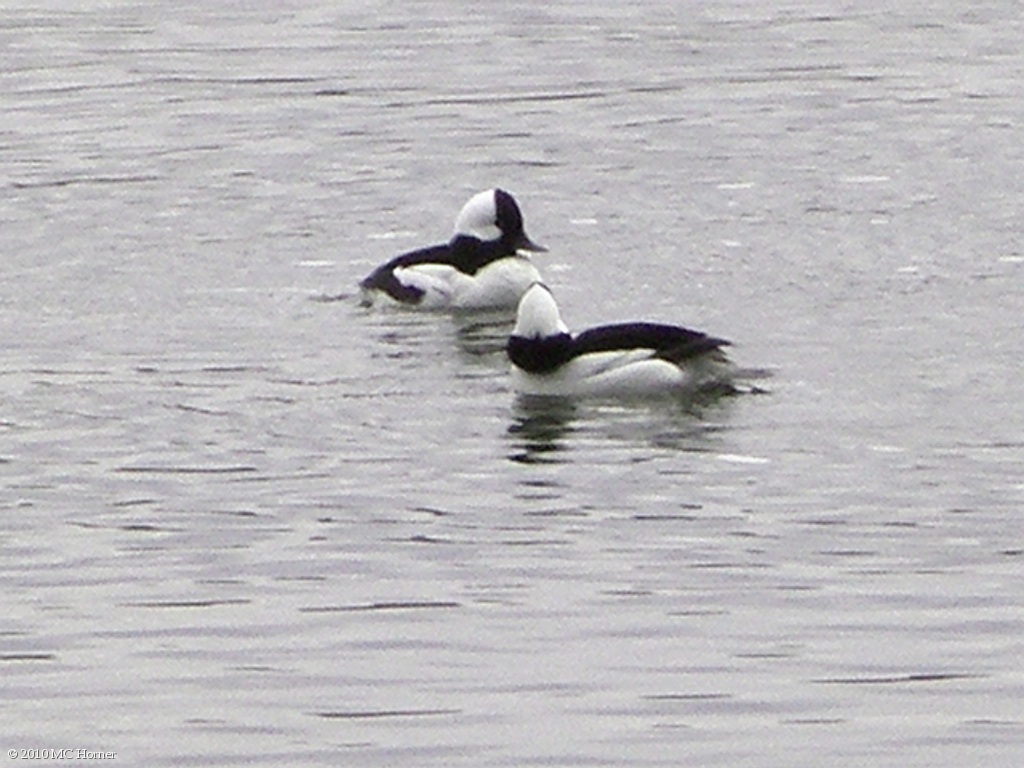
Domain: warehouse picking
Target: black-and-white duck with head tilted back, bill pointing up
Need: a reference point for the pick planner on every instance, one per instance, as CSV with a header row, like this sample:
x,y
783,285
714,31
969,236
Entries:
x,y
638,360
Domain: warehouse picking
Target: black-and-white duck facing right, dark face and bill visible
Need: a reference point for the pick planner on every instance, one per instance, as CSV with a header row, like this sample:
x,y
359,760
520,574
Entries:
x,y
482,268
